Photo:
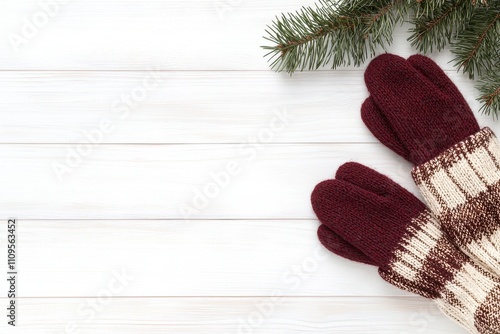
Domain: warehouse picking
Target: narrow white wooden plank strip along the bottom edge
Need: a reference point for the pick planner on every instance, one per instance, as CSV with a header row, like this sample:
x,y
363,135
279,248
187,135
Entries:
x,y
395,315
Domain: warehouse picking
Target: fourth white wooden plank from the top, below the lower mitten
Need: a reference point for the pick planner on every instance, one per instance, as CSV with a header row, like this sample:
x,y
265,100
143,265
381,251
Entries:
x,y
81,258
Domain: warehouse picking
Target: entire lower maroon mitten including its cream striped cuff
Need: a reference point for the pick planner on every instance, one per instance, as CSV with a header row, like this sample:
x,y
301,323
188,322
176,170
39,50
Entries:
x,y
369,218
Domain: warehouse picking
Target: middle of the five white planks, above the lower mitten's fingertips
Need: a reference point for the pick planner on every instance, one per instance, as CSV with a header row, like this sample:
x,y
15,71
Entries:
x,y
249,181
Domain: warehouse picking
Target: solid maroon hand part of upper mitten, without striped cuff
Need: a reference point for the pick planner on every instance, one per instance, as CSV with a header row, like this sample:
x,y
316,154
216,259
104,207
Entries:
x,y
417,104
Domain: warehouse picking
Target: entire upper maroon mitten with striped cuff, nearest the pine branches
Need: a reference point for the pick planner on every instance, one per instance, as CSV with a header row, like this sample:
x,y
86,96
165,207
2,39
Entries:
x,y
418,112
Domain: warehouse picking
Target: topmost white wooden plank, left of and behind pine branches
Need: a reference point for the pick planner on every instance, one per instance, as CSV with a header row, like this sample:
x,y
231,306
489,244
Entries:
x,y
146,34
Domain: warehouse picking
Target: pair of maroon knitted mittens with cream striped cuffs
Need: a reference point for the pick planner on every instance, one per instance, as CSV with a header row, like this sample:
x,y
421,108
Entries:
x,y
449,252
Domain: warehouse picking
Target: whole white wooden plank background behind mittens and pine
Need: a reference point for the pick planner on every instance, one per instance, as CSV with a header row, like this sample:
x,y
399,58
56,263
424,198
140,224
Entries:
x,y
247,260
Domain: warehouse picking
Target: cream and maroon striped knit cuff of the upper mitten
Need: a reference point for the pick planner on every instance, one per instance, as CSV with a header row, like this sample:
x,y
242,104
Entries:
x,y
462,188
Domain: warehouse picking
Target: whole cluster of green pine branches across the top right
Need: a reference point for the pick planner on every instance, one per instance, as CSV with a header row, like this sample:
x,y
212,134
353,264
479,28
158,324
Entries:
x,y
343,32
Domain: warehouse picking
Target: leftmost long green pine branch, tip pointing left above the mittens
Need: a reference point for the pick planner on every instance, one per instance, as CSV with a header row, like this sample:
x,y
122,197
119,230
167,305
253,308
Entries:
x,y
344,33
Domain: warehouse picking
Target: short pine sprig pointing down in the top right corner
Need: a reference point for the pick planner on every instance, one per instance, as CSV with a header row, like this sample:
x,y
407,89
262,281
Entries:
x,y
476,47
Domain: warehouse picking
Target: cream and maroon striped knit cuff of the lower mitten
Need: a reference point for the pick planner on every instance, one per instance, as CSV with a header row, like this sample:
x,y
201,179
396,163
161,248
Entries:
x,y
427,263
